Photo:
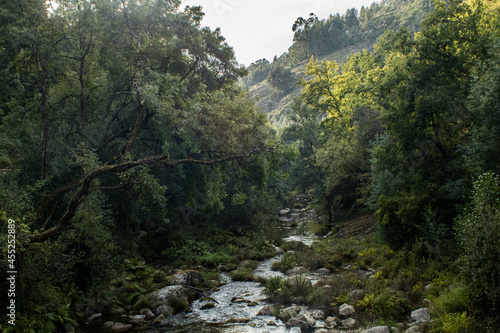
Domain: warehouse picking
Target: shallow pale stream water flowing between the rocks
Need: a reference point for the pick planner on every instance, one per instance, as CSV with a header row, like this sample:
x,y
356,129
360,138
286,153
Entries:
x,y
249,300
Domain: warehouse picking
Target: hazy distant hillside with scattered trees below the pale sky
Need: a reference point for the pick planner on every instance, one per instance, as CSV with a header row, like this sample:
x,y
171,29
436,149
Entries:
x,y
334,38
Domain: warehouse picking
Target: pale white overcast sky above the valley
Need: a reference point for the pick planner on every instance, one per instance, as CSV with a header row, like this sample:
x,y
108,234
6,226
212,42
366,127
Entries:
x,y
258,29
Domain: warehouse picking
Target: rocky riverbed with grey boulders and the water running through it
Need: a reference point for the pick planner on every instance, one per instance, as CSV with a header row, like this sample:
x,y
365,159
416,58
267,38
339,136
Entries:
x,y
241,306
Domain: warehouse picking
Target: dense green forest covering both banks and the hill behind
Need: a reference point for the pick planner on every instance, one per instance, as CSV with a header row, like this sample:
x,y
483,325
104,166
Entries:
x,y
130,146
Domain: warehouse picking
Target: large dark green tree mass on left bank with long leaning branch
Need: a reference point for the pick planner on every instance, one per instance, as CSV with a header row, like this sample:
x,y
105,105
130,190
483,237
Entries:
x,y
118,110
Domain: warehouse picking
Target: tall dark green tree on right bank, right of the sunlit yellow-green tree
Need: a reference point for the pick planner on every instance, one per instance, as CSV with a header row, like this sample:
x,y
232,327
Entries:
x,y
426,80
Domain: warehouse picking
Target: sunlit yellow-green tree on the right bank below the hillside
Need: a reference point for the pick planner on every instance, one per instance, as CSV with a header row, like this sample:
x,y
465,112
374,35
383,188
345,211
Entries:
x,y
340,97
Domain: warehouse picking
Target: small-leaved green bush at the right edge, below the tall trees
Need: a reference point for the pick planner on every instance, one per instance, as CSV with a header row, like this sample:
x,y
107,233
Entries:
x,y
478,231
